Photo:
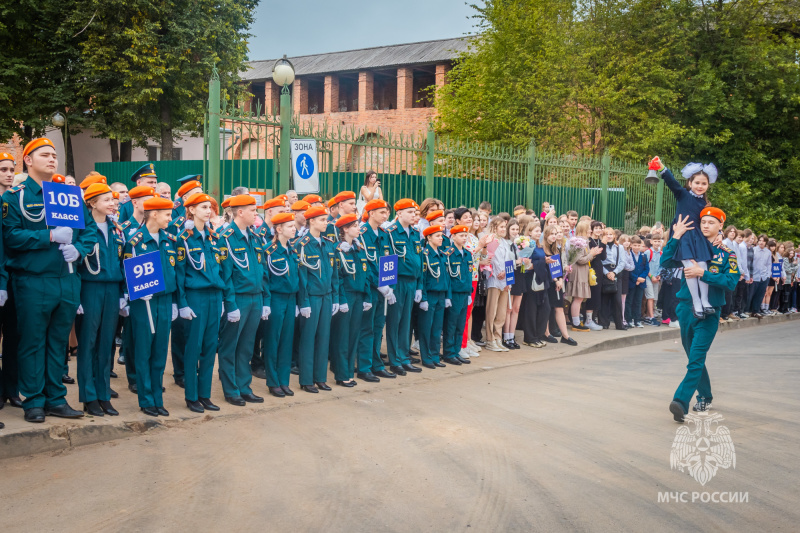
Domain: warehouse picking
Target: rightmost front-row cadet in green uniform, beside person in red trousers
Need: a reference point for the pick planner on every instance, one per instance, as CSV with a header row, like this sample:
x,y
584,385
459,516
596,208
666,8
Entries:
x,y
459,264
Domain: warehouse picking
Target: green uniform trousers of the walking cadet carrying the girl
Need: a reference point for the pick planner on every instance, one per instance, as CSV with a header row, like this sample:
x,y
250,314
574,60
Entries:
x,y
696,337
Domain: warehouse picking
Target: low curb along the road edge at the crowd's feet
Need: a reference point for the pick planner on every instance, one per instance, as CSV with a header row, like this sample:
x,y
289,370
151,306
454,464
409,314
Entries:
x,y
65,437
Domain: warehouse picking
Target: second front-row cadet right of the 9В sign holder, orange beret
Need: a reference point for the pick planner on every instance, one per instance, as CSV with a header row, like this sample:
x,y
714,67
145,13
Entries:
x,y
245,302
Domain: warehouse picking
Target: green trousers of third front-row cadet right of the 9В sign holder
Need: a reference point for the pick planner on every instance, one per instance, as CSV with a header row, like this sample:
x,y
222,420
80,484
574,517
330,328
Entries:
x,y
279,339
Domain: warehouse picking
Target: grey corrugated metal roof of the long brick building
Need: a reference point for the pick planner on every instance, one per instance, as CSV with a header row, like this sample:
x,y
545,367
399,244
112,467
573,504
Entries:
x,y
427,52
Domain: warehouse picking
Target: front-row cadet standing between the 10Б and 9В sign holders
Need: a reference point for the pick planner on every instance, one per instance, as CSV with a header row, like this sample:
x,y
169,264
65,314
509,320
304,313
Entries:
x,y
102,299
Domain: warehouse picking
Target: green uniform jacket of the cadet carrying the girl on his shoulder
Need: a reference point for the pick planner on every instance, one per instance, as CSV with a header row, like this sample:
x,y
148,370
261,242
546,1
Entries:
x,y
722,274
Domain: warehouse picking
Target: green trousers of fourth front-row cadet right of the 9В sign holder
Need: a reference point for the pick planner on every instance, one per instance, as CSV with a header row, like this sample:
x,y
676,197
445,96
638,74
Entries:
x,y
315,334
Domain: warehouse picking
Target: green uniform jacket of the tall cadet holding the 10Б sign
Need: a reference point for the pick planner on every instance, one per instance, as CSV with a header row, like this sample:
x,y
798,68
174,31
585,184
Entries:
x,y
27,244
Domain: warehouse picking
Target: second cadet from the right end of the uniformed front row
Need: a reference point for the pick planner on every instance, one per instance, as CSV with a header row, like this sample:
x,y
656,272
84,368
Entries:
x,y
435,298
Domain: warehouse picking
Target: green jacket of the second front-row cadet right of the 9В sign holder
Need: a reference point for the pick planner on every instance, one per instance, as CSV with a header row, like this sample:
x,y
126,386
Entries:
x,y
242,271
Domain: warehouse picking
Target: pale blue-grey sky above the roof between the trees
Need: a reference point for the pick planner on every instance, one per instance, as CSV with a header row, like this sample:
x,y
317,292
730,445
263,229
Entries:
x,y
304,27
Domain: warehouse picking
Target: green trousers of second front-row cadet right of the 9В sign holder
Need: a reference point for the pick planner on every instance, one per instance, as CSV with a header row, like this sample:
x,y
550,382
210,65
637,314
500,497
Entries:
x,y
236,345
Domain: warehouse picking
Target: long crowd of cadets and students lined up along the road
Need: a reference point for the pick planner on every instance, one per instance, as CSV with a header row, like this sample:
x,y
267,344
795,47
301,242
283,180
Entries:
x,y
292,287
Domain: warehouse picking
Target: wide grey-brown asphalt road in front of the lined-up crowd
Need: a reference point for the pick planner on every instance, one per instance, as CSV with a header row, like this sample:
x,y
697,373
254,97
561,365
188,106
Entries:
x,y
575,444
